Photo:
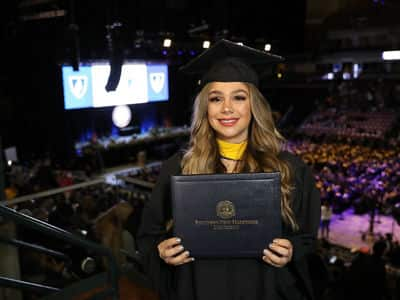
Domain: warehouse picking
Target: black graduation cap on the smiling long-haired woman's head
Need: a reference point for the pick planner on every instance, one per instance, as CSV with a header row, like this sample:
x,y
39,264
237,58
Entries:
x,y
227,61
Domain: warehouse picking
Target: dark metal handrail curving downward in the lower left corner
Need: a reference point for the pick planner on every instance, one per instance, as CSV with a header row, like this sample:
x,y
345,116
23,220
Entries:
x,y
66,236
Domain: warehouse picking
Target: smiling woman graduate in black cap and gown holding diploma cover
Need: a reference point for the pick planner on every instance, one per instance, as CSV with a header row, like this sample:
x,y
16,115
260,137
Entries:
x,y
233,131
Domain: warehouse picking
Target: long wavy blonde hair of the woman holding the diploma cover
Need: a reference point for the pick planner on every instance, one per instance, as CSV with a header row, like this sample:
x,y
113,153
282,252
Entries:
x,y
263,148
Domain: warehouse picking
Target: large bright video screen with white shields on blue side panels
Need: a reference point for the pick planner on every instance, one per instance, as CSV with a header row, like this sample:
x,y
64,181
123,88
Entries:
x,y
139,83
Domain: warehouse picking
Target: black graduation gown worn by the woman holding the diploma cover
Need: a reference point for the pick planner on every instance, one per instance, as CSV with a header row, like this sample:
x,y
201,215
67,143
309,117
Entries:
x,y
231,279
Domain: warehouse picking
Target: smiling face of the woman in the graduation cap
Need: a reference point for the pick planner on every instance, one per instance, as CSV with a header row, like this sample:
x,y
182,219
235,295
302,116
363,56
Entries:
x,y
229,111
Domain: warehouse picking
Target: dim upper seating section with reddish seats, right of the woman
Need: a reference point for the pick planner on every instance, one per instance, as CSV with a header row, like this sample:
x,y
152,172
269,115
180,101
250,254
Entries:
x,y
355,109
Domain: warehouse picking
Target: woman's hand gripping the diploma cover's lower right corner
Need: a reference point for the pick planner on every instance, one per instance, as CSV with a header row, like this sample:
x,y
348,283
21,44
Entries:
x,y
279,253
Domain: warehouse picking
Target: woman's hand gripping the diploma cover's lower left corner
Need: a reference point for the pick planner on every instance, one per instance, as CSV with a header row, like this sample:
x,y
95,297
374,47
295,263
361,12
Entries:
x,y
172,252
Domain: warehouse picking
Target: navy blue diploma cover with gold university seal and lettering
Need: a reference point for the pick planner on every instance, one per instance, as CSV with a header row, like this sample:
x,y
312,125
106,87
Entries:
x,y
227,215
